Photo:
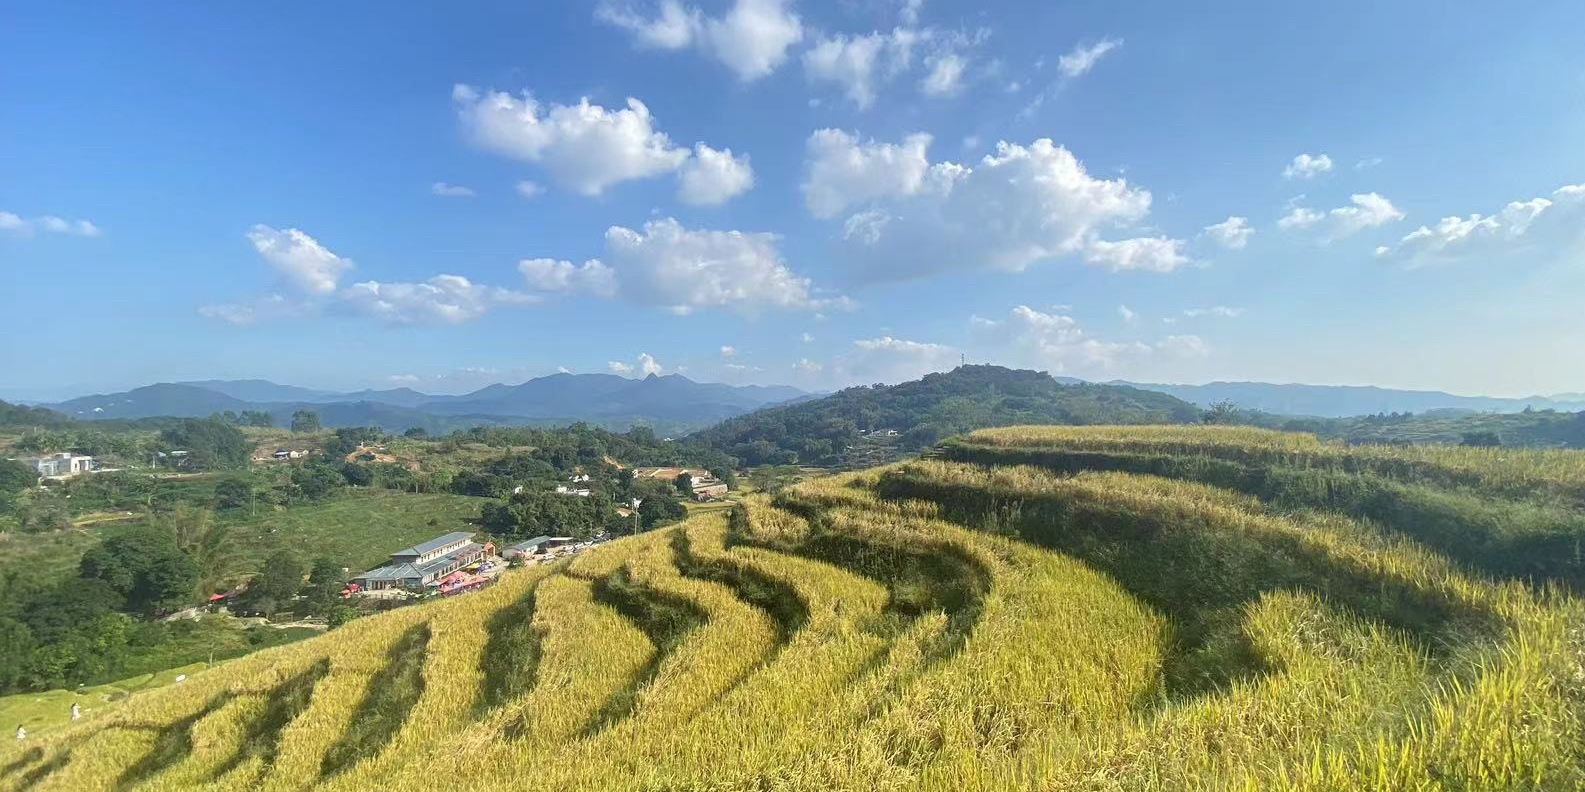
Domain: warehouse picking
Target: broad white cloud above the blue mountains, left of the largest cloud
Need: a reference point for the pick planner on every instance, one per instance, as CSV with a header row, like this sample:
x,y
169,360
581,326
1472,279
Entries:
x,y
689,270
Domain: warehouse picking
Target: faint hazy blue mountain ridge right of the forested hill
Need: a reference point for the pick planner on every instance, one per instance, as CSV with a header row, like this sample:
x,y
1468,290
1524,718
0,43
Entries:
x,y
1342,402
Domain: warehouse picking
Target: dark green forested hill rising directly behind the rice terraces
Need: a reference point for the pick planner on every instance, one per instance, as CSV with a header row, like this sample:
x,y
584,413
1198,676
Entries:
x,y
923,413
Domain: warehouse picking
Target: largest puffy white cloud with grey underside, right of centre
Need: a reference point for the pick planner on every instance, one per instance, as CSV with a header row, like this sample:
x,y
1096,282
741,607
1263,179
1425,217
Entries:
x,y
1012,210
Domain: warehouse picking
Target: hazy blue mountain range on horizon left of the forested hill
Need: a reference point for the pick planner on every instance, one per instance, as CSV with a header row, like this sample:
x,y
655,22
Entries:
x,y
671,405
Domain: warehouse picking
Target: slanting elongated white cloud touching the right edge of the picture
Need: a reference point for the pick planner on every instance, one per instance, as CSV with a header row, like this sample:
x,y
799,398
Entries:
x,y
1521,223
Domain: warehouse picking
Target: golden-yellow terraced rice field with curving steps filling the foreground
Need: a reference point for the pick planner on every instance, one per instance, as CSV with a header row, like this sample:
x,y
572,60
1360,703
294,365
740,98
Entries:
x,y
1041,609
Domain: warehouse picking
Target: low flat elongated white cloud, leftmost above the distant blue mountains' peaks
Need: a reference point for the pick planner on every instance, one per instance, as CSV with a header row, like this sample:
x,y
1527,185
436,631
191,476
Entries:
x,y
445,300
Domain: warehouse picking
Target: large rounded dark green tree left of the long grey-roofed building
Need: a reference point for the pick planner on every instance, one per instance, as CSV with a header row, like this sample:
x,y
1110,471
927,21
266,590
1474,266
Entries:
x,y
143,566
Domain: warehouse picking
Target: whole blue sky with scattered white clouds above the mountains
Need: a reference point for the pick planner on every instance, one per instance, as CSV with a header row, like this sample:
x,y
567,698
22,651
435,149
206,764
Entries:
x,y
402,194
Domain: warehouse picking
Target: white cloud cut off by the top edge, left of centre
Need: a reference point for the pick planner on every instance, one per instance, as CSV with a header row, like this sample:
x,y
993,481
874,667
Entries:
x,y
752,39
